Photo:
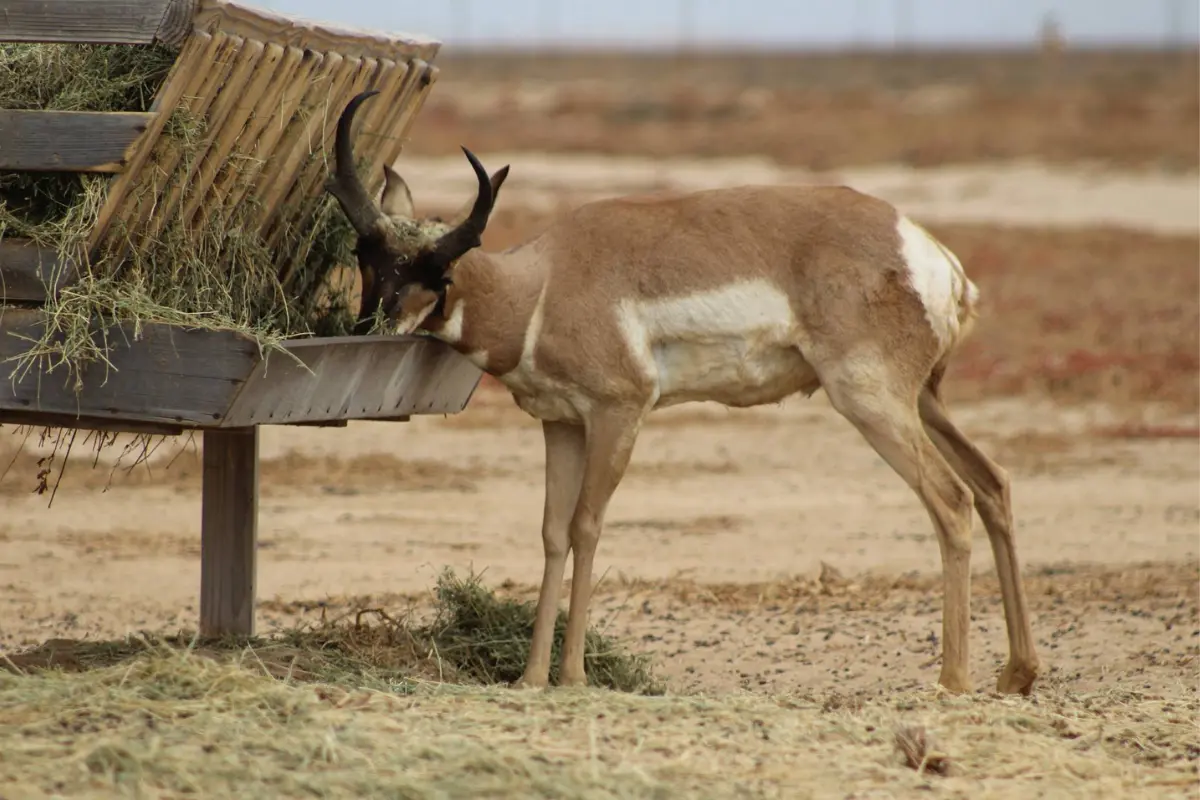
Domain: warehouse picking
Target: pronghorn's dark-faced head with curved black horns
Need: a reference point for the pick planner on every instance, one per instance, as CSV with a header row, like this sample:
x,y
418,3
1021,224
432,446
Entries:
x,y
407,263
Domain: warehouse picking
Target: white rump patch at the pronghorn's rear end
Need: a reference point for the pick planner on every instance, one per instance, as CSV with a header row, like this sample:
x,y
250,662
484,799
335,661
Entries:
x,y
937,278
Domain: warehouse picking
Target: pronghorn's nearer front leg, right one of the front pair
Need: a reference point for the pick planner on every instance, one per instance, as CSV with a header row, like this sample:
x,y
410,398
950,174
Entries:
x,y
611,435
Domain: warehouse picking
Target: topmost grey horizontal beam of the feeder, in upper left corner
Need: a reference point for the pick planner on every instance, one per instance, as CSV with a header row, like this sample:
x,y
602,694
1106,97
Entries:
x,y
97,22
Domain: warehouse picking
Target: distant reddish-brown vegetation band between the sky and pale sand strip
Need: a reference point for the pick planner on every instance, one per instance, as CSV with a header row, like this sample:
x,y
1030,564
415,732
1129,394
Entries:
x,y
825,111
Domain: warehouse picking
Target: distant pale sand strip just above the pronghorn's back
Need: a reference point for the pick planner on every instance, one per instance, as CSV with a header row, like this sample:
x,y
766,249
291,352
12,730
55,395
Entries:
x,y
1025,194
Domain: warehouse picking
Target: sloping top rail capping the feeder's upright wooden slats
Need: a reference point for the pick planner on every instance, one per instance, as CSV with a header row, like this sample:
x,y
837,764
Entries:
x,y
271,27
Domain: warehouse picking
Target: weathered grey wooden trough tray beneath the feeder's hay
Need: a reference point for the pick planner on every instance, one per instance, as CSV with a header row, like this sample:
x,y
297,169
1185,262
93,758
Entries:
x,y
188,378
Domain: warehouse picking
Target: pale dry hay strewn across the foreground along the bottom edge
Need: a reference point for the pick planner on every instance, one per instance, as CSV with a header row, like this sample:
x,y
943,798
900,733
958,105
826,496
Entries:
x,y
170,721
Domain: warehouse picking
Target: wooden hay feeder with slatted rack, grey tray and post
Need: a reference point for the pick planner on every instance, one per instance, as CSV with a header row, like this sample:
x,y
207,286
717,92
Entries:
x,y
267,87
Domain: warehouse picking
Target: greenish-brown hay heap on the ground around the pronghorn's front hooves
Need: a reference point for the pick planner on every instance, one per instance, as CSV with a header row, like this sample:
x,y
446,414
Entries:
x,y
472,637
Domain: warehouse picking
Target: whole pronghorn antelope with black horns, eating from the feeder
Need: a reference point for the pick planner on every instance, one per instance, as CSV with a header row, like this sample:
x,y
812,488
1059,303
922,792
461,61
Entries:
x,y
742,297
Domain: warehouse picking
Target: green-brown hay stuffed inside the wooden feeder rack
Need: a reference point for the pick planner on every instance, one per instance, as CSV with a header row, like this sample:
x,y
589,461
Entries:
x,y
213,270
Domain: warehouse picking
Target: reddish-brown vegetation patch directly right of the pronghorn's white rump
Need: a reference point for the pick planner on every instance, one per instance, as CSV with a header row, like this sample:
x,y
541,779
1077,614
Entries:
x,y
1082,316
